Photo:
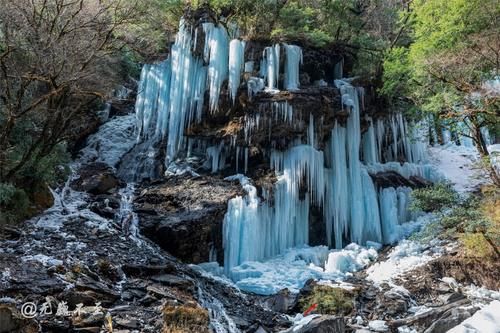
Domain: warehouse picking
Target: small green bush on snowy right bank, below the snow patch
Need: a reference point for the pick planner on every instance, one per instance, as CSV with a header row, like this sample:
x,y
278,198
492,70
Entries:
x,y
433,198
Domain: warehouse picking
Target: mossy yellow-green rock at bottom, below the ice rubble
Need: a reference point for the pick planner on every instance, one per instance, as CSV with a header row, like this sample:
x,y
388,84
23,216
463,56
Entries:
x,y
329,300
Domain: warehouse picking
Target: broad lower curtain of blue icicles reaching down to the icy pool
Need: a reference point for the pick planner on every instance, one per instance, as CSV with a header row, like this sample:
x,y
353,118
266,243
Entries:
x,y
336,181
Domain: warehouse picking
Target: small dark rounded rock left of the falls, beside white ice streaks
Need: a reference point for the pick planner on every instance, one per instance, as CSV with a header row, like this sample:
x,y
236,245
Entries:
x,y
96,178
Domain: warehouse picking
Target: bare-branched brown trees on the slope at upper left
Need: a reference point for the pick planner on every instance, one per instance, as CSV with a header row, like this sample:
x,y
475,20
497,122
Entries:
x,y
58,59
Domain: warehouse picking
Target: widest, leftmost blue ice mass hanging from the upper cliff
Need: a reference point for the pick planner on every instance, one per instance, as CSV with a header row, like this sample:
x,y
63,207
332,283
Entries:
x,y
170,94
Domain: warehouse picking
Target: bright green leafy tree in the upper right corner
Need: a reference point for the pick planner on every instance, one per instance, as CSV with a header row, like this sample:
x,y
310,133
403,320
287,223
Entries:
x,y
452,51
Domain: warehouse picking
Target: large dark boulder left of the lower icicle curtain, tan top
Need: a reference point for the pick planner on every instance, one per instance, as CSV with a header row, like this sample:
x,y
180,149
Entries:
x,y
184,215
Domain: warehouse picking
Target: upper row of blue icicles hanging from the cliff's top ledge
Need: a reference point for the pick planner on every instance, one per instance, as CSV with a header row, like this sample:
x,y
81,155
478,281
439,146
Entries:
x,y
171,93
